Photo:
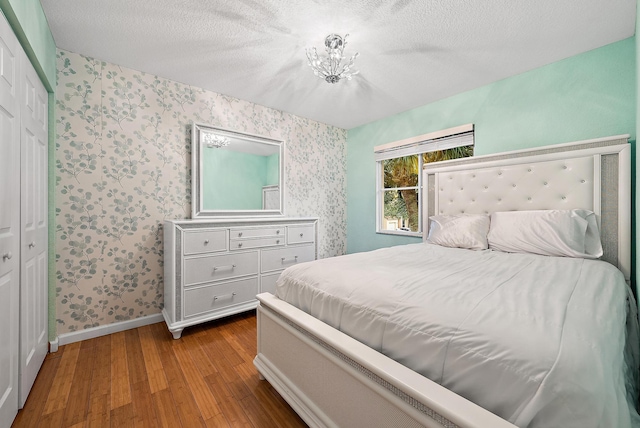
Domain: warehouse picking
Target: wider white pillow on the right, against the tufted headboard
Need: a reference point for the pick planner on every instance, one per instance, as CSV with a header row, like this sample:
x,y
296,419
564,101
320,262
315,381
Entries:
x,y
565,233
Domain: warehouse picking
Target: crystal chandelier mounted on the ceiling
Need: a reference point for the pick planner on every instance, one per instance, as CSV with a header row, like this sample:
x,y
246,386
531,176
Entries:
x,y
330,68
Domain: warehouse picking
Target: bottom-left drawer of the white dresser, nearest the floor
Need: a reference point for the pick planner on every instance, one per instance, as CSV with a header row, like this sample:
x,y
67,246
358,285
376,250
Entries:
x,y
199,300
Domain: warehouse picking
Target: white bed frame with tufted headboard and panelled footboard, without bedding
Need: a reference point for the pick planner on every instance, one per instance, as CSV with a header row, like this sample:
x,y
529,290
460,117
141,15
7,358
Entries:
x,y
332,380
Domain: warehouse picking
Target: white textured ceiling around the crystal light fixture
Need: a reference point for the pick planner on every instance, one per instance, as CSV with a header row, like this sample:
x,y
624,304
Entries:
x,y
412,52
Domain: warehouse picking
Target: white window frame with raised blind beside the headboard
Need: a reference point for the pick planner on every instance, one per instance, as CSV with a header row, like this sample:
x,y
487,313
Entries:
x,y
409,147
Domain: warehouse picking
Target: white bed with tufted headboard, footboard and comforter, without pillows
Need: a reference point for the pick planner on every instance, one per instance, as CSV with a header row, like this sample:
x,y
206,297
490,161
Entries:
x,y
477,358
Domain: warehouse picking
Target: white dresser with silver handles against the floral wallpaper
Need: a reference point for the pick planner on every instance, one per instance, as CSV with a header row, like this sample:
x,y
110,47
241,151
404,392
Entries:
x,y
214,268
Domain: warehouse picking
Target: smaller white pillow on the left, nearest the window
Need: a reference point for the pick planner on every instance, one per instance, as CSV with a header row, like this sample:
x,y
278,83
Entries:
x,y
459,231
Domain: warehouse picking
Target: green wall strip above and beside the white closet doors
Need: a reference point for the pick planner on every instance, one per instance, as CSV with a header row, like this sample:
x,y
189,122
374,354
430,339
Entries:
x,y
29,23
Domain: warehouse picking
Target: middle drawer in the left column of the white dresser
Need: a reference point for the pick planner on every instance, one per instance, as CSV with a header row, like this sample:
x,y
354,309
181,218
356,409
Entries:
x,y
213,268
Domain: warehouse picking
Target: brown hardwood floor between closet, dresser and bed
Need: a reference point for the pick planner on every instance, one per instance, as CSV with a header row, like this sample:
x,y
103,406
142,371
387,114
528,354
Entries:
x,y
144,378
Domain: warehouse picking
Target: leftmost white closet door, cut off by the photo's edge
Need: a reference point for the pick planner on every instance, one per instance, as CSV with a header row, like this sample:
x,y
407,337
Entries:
x,y
9,222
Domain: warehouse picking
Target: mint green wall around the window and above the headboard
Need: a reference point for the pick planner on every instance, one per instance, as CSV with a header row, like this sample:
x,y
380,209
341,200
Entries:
x,y
587,96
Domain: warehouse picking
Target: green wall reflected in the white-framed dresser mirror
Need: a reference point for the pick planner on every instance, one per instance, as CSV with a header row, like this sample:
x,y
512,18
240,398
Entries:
x,y
233,180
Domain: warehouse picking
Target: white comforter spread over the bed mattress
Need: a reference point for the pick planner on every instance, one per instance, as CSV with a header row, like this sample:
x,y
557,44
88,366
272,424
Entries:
x,y
540,341
